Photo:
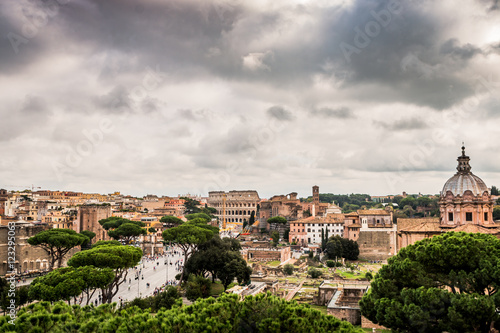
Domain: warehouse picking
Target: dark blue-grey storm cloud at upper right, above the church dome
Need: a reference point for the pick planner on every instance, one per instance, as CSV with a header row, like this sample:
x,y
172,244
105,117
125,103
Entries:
x,y
381,58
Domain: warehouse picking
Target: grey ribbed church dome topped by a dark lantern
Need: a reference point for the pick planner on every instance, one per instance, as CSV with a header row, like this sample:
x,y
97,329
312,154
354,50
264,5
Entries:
x,y
464,179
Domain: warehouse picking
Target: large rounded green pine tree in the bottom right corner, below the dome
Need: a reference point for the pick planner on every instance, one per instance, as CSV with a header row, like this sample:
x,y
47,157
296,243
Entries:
x,y
447,283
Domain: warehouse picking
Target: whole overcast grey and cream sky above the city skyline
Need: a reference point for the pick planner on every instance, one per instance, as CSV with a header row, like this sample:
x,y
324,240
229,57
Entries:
x,y
189,96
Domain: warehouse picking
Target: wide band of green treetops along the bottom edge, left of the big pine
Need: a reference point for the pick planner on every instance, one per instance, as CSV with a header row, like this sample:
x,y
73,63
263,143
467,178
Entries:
x,y
261,313
